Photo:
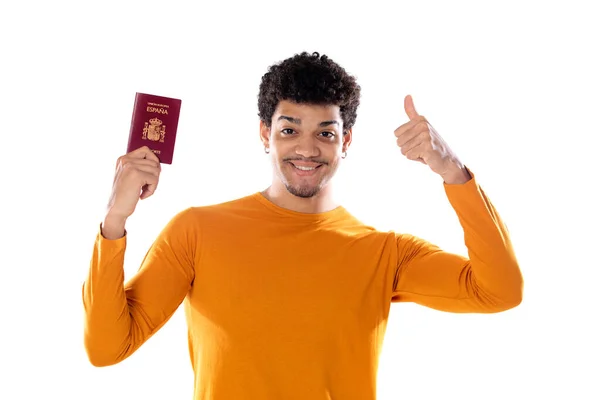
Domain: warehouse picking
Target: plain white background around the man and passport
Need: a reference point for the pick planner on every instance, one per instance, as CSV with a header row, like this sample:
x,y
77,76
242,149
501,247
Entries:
x,y
512,86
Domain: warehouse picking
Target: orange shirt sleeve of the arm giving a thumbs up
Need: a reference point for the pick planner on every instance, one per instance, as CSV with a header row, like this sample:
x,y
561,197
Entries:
x,y
488,280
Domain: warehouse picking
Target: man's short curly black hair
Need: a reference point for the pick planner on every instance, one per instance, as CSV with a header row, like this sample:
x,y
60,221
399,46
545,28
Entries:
x,y
312,79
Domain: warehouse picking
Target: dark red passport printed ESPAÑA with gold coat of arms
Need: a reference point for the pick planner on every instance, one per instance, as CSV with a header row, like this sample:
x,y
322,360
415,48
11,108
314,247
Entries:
x,y
154,124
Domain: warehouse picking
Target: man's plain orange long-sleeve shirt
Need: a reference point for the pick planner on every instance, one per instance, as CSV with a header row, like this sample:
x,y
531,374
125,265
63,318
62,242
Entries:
x,y
285,305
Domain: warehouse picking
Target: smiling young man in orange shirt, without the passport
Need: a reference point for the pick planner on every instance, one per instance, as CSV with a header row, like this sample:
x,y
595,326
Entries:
x,y
286,294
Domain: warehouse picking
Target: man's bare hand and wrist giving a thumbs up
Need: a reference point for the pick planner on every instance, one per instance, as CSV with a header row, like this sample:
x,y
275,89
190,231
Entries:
x,y
419,141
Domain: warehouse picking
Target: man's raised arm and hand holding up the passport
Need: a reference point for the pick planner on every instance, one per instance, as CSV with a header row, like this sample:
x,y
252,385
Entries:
x,y
119,316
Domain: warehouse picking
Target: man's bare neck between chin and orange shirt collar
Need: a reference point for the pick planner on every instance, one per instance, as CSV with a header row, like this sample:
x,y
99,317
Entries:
x,y
319,203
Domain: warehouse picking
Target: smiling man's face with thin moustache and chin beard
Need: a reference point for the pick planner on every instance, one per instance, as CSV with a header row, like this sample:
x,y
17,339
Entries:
x,y
306,143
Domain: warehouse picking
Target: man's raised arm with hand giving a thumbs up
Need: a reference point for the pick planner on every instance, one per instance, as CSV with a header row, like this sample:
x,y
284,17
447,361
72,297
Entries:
x,y
489,279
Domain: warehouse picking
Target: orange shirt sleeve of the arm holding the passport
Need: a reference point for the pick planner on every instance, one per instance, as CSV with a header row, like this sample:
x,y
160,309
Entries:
x,y
120,317
